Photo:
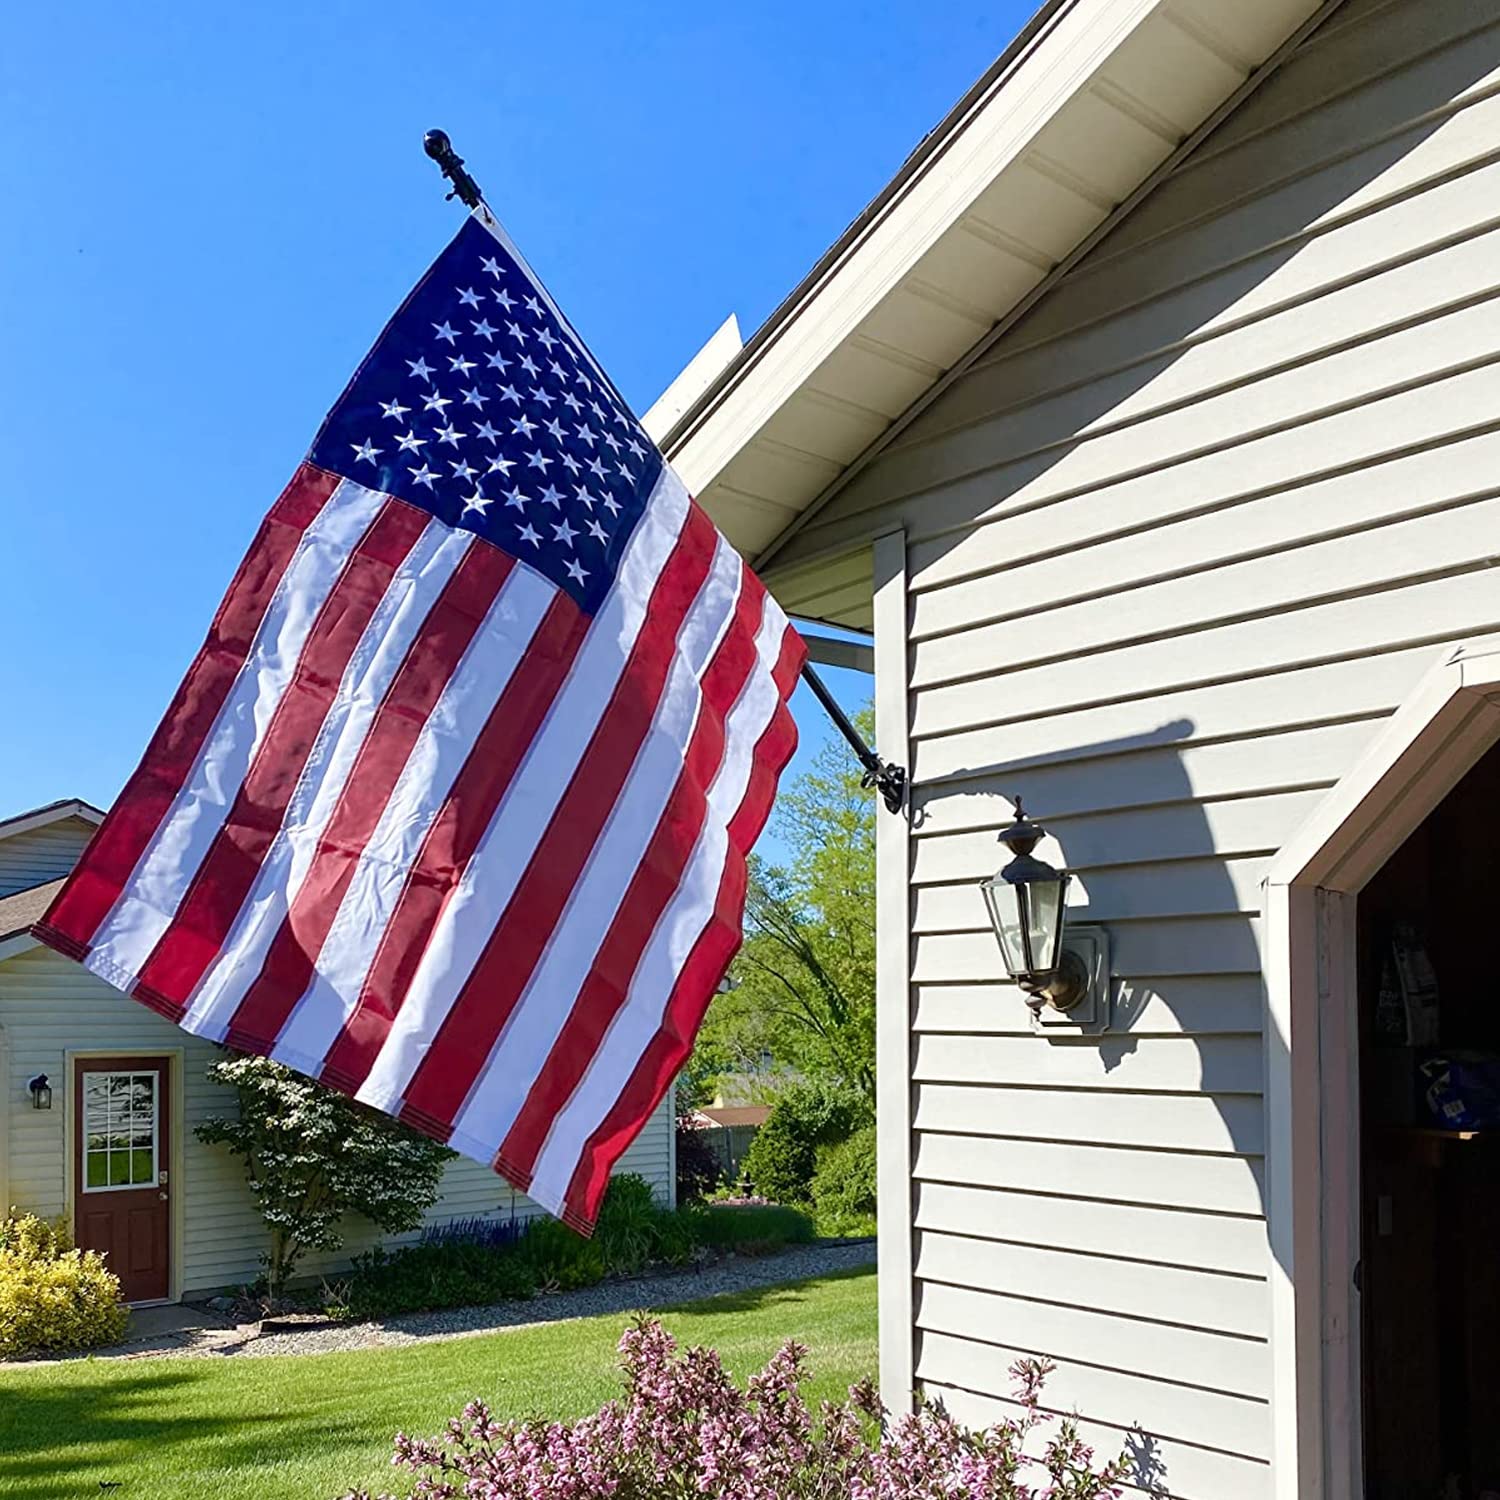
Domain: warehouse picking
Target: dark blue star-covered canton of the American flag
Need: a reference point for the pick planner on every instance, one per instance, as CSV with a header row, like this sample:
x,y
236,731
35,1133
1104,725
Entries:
x,y
482,406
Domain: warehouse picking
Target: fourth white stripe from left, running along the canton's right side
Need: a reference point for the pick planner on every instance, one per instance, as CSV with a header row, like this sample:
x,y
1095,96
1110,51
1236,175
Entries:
x,y
524,814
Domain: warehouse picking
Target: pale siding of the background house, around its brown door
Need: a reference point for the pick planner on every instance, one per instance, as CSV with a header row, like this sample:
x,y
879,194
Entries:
x,y
50,1006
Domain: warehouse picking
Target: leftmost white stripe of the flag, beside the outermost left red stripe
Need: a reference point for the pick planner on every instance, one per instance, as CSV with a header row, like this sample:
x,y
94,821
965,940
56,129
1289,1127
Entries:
x,y
166,869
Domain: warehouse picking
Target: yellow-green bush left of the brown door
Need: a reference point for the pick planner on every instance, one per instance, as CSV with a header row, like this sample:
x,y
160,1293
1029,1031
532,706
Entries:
x,y
53,1297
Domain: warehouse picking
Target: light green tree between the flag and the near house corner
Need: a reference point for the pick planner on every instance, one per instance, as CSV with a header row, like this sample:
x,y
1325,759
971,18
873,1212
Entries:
x,y
805,980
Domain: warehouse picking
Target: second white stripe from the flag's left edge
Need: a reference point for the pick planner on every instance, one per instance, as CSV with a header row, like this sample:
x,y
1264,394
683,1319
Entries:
x,y
391,634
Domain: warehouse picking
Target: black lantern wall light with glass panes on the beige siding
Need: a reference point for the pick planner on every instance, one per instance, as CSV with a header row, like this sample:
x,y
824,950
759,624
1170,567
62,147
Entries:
x,y
1028,910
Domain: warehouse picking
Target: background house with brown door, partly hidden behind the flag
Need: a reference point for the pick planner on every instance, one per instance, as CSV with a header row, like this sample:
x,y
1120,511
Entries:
x,y
184,1222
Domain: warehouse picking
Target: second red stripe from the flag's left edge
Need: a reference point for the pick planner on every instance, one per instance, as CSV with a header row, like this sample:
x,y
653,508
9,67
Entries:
x,y
224,880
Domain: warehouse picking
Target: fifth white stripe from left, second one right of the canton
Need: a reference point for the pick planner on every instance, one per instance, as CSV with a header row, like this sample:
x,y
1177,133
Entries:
x,y
545,1006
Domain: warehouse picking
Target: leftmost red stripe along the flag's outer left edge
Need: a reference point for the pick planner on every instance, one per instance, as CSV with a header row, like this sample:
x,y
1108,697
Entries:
x,y
116,848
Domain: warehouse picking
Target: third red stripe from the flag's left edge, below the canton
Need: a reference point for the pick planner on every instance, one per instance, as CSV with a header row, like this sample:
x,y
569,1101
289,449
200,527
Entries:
x,y
442,641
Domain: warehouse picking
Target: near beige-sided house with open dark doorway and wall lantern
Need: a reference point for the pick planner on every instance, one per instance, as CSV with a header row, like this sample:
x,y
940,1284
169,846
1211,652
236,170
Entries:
x,y
1151,422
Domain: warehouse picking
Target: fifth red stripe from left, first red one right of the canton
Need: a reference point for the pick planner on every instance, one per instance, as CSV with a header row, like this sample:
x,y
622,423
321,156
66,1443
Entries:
x,y
490,992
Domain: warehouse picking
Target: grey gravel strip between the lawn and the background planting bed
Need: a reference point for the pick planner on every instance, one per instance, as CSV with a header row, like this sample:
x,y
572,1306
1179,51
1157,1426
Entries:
x,y
733,1274
